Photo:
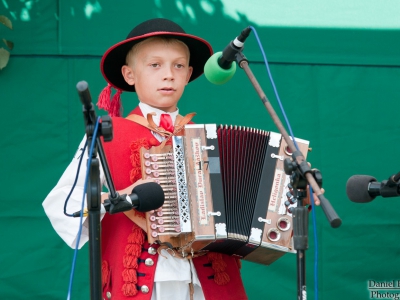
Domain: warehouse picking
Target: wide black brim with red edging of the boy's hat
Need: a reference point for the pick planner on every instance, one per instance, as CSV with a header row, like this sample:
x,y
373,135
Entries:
x,y
115,56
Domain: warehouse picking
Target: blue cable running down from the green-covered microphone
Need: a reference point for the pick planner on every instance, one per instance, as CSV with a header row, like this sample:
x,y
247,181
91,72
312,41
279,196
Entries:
x,y
294,141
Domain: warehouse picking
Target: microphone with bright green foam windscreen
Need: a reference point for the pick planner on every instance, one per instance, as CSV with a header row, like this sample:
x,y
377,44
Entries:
x,y
221,66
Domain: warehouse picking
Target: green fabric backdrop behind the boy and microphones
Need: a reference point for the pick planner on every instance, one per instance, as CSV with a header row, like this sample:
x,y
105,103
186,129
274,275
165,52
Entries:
x,y
339,84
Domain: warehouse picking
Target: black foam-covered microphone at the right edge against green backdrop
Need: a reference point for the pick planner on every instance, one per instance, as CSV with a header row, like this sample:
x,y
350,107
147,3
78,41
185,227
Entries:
x,y
364,188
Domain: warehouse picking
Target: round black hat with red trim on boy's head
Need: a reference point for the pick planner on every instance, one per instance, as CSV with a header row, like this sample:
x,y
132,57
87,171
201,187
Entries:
x,y
115,57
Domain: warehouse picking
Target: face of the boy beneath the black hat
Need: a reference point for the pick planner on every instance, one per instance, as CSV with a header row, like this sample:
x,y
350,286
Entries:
x,y
160,72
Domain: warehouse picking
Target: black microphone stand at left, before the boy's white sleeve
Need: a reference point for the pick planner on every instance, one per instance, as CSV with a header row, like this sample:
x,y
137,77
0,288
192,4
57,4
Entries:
x,y
114,204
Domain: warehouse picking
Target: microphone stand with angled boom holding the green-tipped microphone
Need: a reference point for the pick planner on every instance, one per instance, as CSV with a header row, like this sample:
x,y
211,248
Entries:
x,y
299,166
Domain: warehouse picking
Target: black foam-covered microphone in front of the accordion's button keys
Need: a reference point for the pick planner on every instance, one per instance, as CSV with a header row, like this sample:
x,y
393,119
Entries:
x,y
144,197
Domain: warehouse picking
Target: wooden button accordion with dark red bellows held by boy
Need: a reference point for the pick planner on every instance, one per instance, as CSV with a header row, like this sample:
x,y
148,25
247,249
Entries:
x,y
225,191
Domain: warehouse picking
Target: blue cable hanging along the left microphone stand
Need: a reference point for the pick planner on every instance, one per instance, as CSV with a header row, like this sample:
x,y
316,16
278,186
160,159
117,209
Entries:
x,y
82,209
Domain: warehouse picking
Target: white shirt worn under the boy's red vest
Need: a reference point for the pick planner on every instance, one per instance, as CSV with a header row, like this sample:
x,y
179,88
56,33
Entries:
x,y
172,276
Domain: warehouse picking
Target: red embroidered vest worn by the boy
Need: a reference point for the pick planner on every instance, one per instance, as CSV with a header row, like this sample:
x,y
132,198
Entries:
x,y
129,262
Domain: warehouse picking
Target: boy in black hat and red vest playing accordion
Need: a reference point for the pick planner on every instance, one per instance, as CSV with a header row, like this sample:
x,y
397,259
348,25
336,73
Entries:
x,y
156,61
